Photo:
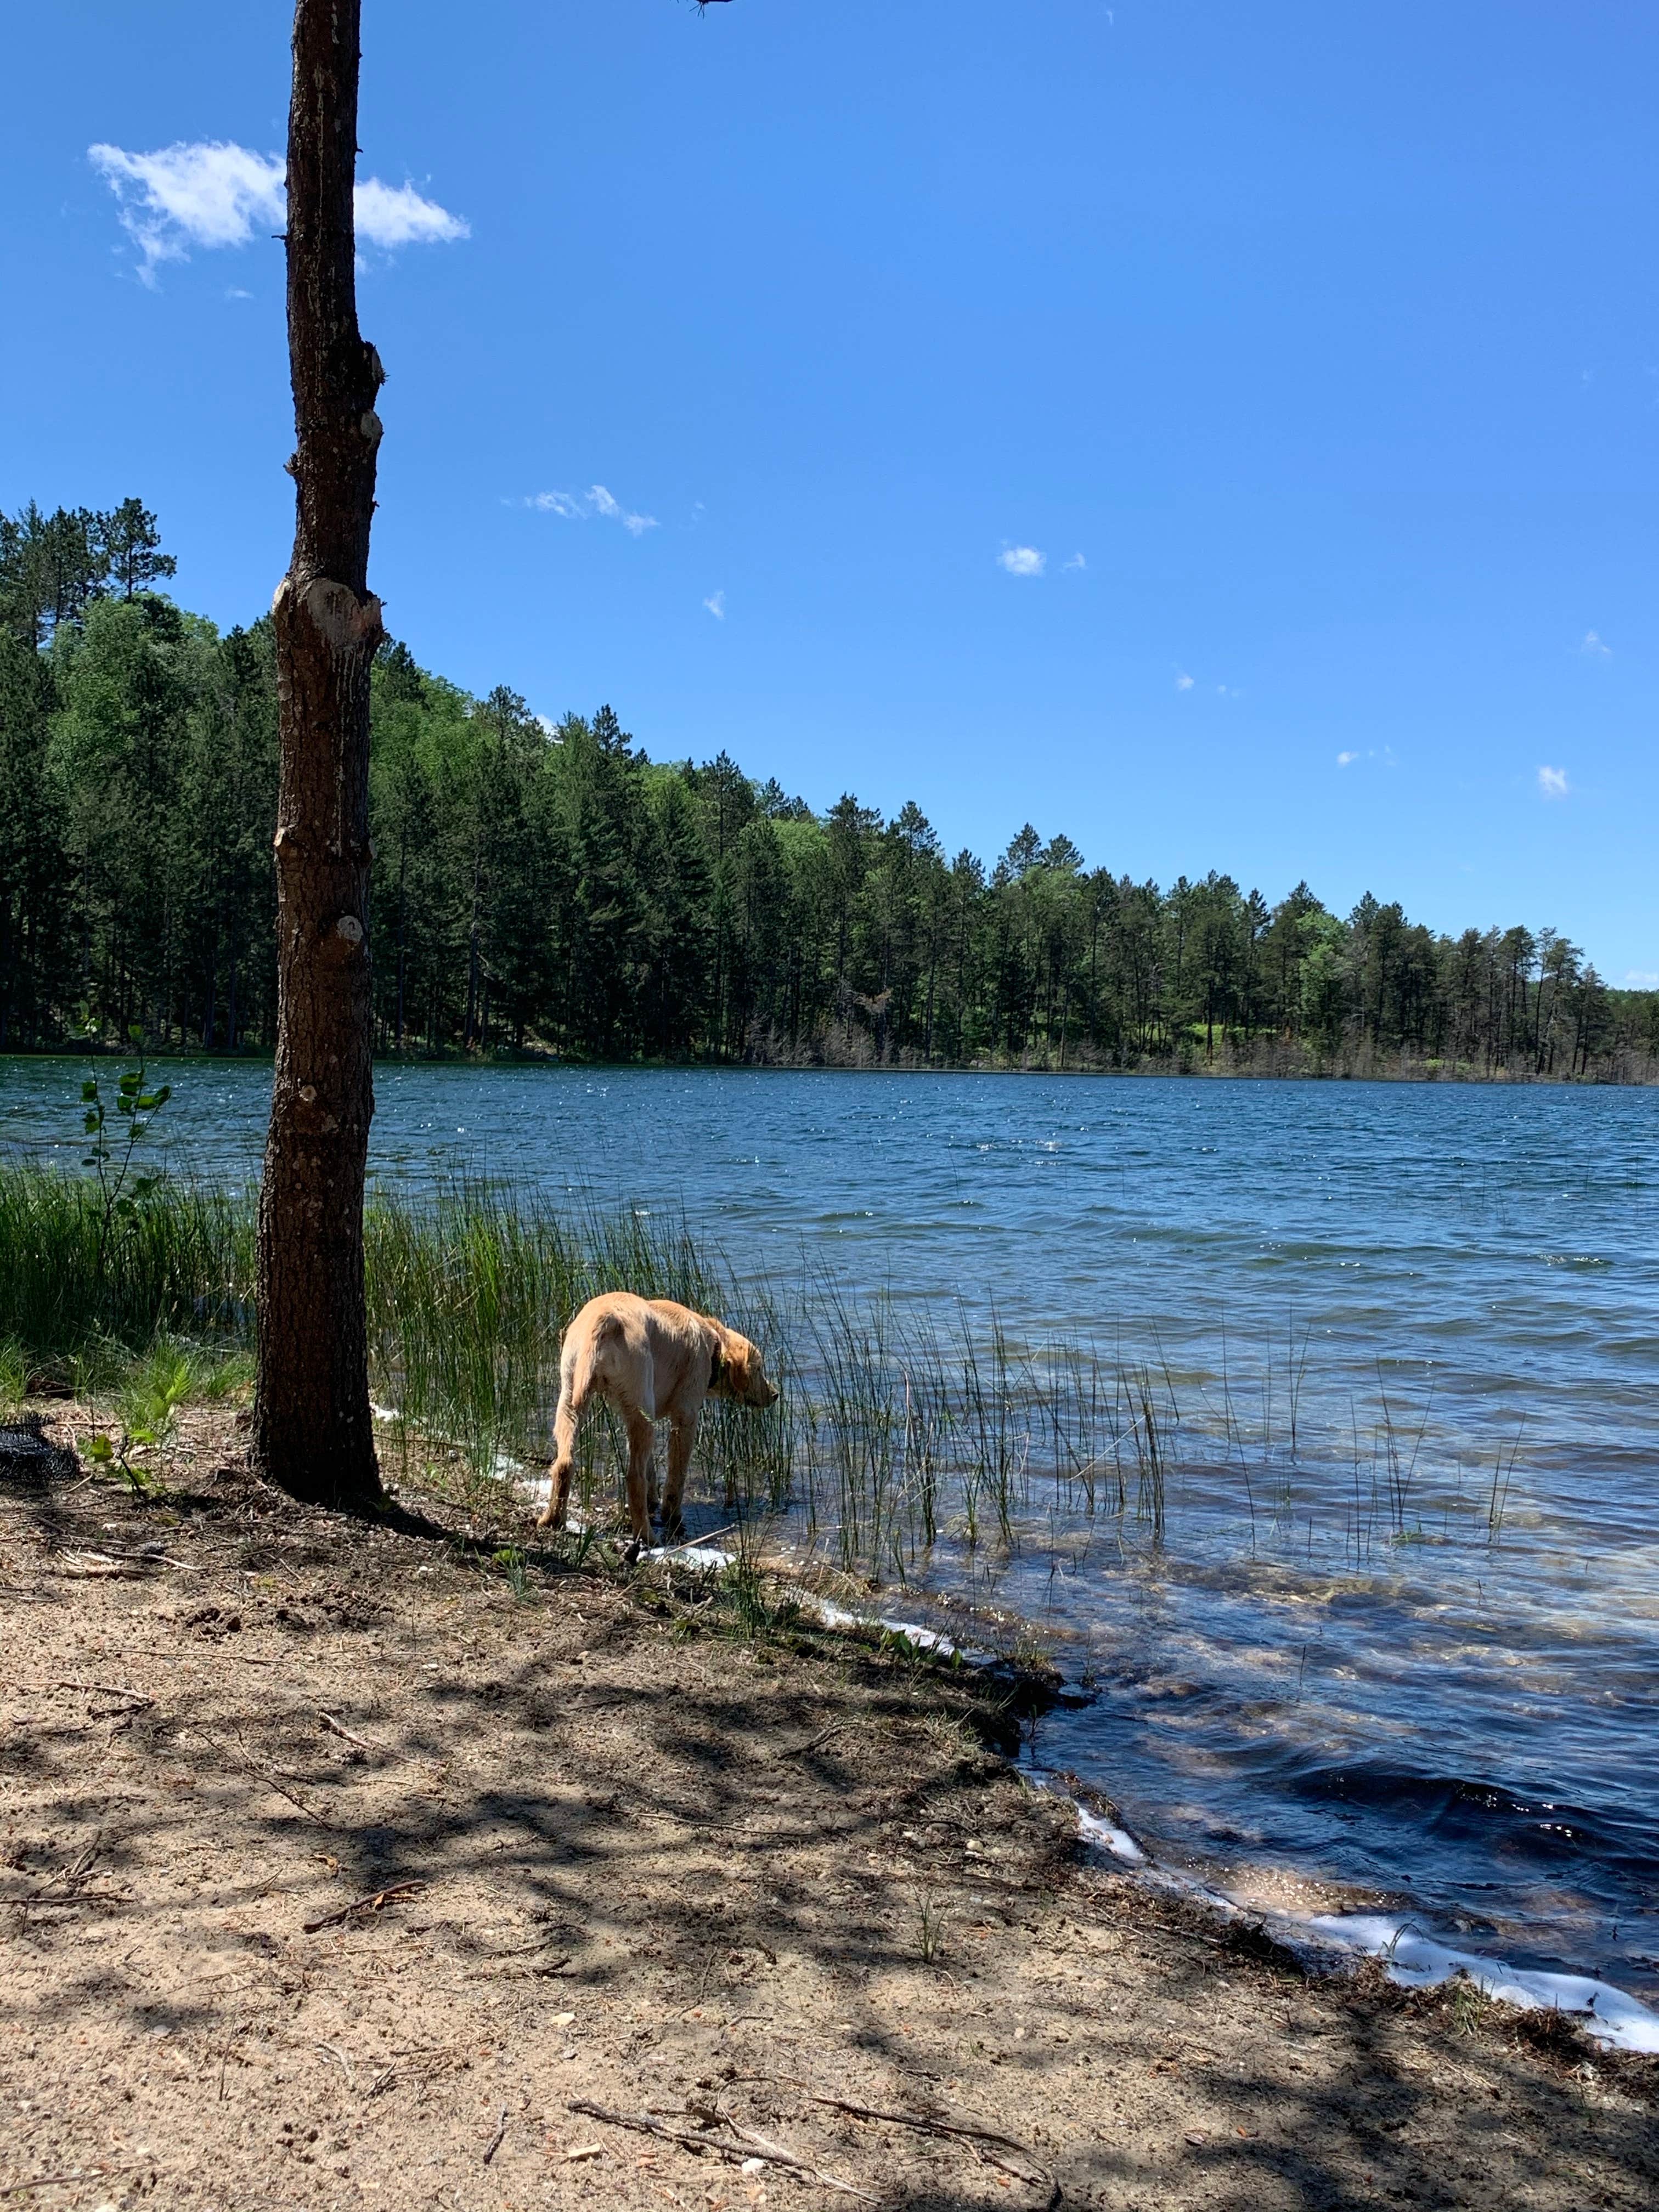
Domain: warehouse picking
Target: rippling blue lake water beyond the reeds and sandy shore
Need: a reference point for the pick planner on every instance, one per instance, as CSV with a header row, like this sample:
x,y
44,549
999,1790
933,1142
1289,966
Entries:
x,y
1333,1678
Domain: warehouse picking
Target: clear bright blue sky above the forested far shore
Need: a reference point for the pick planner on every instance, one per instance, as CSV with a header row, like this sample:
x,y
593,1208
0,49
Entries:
x,y
1220,432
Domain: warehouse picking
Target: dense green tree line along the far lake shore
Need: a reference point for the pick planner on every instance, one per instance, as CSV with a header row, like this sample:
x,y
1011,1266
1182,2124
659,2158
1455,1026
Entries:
x,y
554,888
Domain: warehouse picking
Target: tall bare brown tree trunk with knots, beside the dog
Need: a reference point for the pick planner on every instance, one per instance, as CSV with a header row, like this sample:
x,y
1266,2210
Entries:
x,y
313,1428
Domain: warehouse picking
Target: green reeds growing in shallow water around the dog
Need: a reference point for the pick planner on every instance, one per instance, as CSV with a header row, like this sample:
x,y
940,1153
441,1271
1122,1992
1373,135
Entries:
x,y
899,1428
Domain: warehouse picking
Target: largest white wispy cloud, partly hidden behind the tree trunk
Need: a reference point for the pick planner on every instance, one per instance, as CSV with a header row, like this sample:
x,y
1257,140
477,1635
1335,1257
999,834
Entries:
x,y
218,194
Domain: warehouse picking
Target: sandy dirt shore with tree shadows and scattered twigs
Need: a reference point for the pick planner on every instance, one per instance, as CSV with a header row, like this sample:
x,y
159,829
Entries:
x,y
773,1899
